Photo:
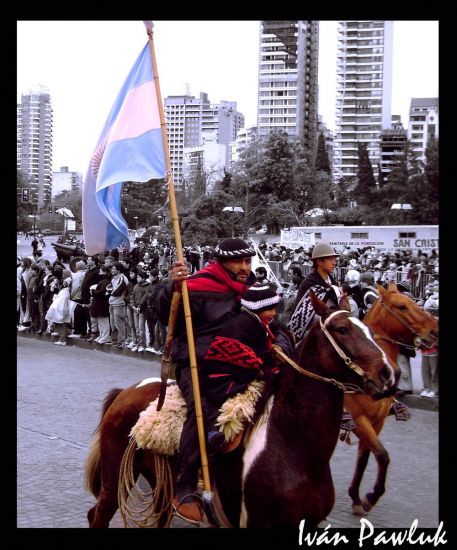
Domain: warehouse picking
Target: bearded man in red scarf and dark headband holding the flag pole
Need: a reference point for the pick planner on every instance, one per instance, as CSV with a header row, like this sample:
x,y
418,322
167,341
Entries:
x,y
215,292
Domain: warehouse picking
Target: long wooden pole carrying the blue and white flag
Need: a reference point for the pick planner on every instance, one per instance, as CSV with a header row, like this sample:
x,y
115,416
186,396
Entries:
x,y
180,257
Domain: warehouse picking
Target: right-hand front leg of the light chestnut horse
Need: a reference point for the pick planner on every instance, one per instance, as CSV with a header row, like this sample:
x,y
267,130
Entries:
x,y
368,434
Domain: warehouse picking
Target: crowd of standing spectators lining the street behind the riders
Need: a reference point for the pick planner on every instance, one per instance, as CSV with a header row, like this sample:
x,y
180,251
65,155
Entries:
x,y
108,298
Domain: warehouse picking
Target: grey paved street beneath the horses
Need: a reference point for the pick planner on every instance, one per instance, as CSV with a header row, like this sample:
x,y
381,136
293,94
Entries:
x,y
60,391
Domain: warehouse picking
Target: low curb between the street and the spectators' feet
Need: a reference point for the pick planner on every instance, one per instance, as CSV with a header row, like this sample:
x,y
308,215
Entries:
x,y
412,401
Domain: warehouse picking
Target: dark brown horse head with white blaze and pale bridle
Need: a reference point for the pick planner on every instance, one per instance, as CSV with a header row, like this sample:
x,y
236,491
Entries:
x,y
361,362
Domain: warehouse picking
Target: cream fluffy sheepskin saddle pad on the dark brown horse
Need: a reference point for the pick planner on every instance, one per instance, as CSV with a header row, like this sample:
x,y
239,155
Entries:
x,y
160,431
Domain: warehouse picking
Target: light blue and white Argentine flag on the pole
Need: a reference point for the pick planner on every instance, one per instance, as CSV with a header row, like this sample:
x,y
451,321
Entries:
x,y
130,148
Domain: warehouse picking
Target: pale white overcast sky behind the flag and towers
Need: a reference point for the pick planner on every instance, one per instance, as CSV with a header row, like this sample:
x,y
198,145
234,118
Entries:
x,y
84,64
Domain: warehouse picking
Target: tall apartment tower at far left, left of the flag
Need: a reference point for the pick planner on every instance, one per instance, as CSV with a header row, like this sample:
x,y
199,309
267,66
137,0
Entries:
x,y
34,143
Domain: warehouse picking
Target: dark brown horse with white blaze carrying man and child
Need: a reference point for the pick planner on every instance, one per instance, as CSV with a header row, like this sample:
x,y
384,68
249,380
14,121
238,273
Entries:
x,y
287,454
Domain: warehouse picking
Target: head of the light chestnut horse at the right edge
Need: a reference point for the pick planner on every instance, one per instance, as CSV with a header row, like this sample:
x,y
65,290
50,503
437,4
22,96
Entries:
x,y
402,319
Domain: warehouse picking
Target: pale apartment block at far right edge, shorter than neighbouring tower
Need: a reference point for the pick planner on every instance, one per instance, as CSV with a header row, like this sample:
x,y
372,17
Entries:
x,y
423,123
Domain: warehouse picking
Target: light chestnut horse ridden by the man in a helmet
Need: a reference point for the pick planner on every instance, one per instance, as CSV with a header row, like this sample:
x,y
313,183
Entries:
x,y
394,320
